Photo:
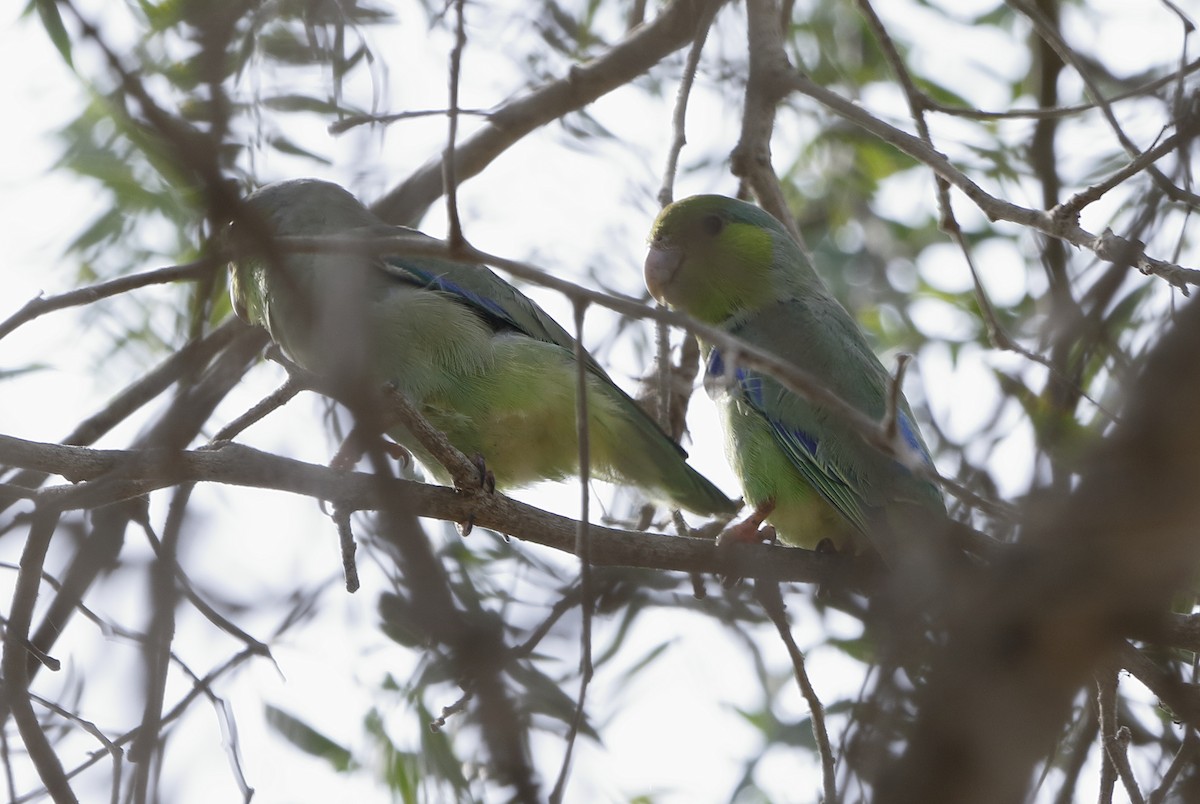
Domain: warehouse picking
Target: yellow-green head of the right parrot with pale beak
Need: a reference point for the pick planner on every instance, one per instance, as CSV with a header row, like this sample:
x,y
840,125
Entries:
x,y
712,257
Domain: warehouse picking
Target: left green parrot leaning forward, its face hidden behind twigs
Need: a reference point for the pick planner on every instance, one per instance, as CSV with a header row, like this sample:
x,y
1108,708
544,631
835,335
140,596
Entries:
x,y
482,362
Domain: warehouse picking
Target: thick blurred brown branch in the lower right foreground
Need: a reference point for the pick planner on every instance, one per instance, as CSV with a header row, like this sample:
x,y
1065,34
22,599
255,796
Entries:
x,y
1106,559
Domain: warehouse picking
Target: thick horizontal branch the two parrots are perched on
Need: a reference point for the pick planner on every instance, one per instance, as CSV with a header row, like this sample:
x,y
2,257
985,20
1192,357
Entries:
x,y
110,476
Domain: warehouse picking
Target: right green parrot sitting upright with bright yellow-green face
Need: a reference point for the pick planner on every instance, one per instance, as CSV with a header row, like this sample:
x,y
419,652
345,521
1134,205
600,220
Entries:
x,y
803,469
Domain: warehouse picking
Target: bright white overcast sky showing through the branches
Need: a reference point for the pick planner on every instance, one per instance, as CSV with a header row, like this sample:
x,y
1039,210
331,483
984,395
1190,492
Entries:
x,y
681,728
